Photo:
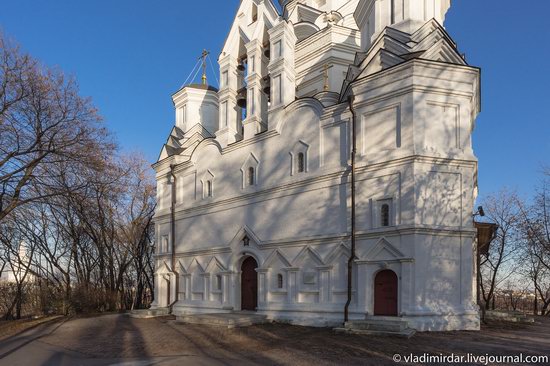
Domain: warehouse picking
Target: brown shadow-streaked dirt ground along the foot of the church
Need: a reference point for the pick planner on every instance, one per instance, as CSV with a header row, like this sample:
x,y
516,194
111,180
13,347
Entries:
x,y
280,344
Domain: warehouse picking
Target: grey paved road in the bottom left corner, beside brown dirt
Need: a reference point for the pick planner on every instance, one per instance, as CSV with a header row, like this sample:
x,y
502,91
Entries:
x,y
26,349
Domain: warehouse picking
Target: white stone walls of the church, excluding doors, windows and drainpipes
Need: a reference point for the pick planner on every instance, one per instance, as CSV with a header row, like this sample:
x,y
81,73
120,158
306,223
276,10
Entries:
x,y
413,128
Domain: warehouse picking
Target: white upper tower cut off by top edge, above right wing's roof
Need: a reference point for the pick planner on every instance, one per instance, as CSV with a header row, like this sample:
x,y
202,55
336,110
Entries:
x,y
372,16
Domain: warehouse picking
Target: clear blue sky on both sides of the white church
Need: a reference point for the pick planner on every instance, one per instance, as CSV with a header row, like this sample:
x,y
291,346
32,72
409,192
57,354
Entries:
x,y
131,55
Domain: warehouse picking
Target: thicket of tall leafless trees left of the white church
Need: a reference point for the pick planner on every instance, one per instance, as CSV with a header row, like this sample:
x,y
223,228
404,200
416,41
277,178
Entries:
x,y
82,211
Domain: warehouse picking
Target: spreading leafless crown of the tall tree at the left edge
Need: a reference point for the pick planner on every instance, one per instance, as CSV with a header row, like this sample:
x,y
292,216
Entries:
x,y
43,121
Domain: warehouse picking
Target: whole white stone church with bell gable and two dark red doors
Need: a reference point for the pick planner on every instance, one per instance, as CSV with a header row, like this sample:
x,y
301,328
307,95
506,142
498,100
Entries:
x,y
331,177
